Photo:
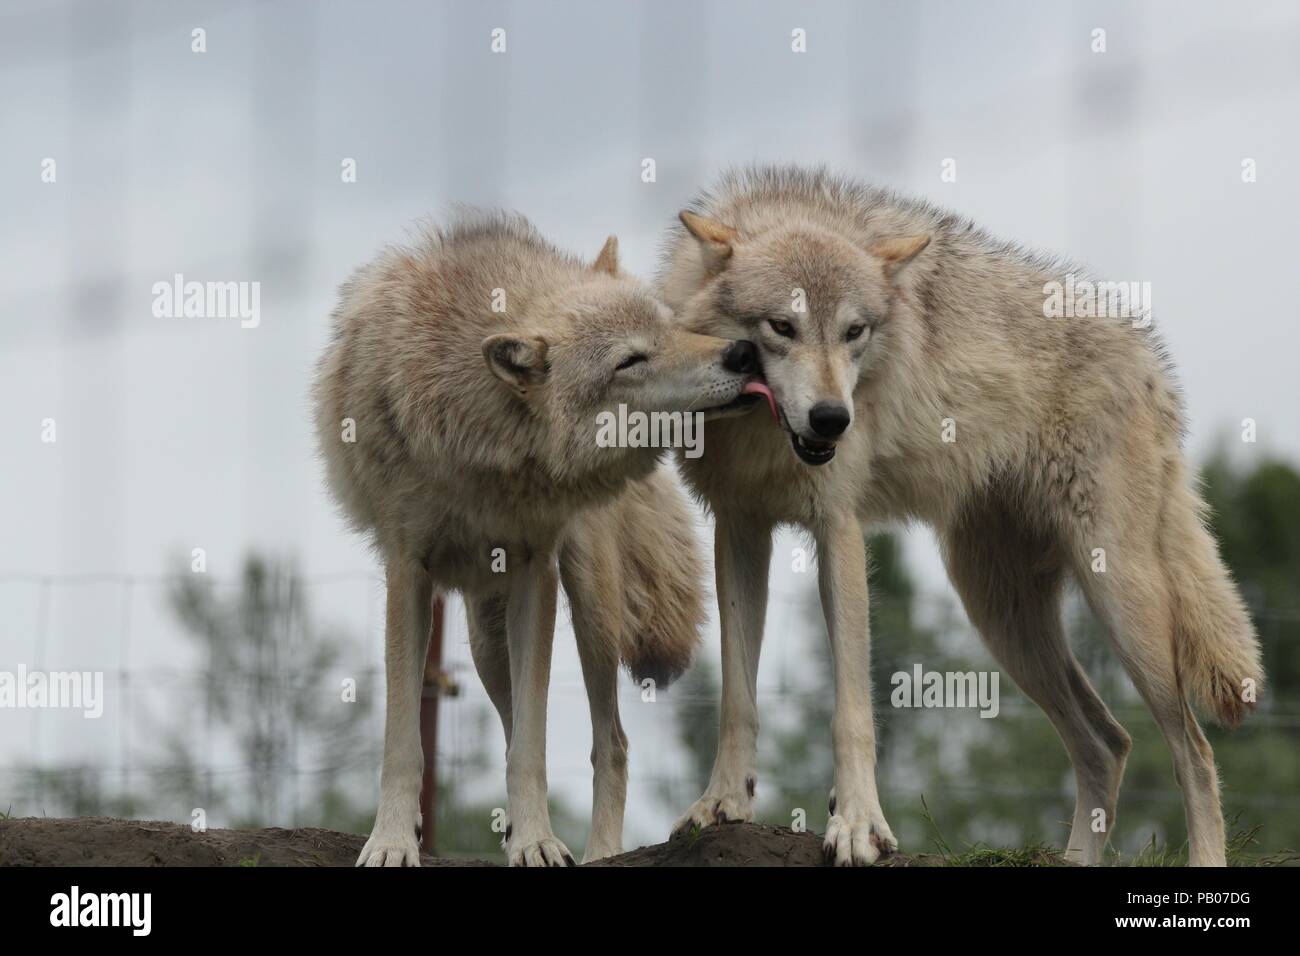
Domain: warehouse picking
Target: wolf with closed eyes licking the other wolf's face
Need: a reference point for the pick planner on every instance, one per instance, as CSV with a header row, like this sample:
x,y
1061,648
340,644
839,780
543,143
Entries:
x,y
457,413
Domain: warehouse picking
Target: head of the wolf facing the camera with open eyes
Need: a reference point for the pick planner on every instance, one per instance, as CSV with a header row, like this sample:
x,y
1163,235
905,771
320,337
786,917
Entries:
x,y
816,306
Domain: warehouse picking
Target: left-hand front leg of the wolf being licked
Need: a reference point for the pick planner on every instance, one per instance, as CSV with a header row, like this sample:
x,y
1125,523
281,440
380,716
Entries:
x,y
743,551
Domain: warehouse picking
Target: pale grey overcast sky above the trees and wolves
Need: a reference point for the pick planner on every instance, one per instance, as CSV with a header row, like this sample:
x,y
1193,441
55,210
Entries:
x,y
177,434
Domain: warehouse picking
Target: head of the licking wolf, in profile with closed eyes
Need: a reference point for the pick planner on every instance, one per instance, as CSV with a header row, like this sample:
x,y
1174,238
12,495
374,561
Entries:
x,y
605,345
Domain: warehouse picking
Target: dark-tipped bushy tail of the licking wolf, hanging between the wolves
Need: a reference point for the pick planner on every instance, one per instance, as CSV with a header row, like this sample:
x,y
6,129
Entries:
x,y
634,574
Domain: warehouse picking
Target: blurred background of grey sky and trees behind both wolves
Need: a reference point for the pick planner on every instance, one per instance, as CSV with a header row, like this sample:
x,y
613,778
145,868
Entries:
x,y
1169,157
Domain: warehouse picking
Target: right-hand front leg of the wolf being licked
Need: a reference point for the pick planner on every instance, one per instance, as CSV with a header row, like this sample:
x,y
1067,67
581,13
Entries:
x,y
857,833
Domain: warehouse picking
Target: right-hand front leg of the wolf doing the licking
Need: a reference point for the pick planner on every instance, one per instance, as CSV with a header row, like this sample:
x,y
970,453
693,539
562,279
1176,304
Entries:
x,y
530,631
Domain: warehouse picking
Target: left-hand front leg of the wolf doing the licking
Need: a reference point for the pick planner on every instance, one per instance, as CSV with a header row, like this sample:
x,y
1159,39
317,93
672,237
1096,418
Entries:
x,y
406,641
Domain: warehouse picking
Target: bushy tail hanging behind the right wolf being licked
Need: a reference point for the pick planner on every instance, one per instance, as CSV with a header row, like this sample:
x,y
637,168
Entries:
x,y
1216,650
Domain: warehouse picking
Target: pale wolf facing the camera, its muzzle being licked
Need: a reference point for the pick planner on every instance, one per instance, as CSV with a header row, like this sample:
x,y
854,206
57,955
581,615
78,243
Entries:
x,y
915,377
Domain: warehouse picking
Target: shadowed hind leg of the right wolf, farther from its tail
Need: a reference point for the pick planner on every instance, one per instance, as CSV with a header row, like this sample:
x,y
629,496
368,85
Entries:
x,y
1011,583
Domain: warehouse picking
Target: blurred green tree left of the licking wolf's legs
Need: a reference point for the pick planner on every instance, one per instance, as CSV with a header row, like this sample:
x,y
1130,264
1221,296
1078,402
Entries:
x,y
267,687
